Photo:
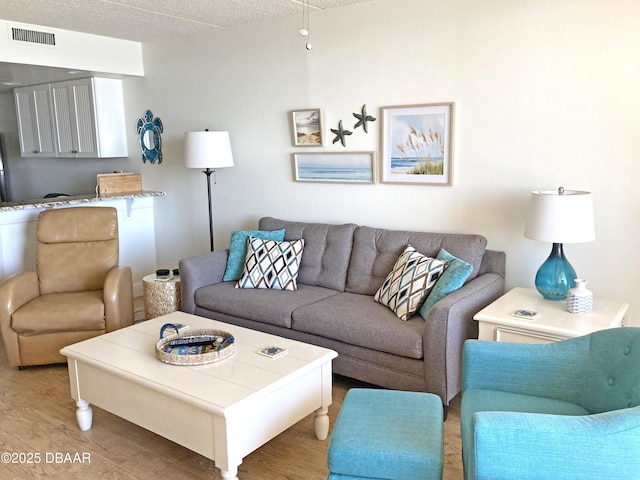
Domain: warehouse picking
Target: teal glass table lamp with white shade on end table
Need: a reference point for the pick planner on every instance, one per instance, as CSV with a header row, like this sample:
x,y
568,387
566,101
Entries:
x,y
558,217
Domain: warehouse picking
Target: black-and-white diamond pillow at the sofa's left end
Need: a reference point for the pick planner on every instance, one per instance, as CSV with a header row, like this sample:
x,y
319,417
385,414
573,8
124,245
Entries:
x,y
271,264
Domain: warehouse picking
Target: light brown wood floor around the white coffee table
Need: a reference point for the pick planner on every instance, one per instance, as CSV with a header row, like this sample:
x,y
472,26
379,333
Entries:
x,y
38,416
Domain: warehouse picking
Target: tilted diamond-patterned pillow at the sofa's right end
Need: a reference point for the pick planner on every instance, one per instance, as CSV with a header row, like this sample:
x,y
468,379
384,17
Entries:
x,y
409,282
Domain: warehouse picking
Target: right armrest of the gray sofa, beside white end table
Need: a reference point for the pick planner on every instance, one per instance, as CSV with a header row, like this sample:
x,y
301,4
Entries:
x,y
449,323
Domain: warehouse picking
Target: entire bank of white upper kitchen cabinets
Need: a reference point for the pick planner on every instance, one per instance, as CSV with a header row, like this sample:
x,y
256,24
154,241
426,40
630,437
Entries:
x,y
86,118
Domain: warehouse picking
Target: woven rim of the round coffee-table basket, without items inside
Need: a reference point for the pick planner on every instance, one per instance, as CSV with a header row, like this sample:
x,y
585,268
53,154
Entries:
x,y
226,348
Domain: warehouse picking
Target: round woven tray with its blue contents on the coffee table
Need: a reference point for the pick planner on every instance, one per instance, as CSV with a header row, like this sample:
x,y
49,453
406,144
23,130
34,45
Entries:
x,y
194,347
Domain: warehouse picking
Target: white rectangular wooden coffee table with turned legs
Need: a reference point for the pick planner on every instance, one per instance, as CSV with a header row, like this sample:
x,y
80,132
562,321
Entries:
x,y
224,410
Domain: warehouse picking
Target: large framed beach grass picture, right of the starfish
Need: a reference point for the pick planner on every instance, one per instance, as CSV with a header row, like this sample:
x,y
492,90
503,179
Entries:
x,y
417,145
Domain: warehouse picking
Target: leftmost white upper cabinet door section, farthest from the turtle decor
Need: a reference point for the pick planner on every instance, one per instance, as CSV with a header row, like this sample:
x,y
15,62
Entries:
x,y
35,121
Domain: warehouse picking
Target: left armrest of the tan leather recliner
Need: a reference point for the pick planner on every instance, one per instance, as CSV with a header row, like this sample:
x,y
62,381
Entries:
x,y
15,291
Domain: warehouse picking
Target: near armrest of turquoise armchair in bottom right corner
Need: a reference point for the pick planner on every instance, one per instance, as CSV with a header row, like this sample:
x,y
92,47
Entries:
x,y
541,446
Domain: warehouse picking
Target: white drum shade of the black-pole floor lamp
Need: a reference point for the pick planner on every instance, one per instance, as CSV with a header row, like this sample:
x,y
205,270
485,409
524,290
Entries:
x,y
207,150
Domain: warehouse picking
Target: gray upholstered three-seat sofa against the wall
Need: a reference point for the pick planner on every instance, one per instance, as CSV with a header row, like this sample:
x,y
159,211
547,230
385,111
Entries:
x,y
341,269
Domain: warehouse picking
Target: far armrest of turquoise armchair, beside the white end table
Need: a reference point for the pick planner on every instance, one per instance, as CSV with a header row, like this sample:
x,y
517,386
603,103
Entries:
x,y
553,370
